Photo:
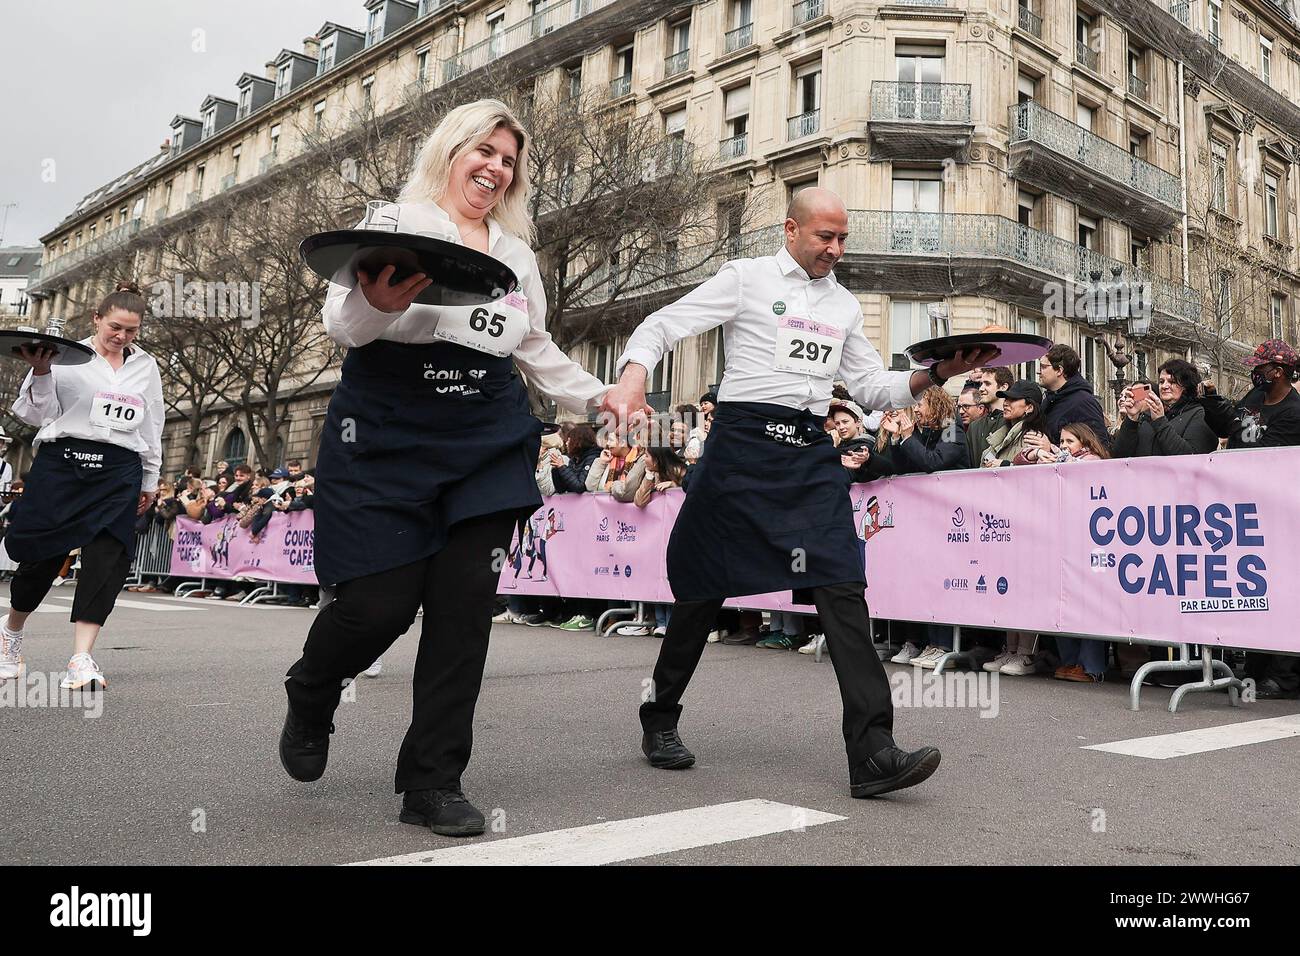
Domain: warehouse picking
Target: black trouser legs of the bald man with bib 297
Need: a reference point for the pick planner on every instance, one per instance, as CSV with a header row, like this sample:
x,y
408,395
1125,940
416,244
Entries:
x,y
847,624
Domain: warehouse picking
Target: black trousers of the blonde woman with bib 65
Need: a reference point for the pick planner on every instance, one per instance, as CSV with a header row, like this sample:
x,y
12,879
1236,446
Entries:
x,y
457,587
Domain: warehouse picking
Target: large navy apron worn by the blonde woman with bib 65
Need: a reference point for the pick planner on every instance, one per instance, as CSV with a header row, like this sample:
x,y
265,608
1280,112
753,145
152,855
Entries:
x,y
419,438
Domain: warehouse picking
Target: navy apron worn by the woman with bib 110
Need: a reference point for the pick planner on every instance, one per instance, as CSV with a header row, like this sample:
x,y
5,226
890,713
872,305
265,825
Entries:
x,y
77,488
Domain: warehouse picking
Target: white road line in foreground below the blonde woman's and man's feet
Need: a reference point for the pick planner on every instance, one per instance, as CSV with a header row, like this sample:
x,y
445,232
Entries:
x,y
623,840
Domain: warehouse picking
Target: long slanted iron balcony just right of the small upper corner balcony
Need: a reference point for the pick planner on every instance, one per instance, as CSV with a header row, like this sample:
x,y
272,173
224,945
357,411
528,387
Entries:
x,y
1064,158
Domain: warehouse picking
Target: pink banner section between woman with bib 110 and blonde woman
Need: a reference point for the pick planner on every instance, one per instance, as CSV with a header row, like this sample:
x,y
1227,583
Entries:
x,y
285,551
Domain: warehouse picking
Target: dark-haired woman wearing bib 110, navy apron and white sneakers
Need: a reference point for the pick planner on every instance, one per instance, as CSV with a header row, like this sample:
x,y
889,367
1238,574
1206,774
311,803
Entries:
x,y
99,455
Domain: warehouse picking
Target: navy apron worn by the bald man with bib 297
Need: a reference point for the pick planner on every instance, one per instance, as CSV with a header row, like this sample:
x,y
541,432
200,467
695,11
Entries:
x,y
768,509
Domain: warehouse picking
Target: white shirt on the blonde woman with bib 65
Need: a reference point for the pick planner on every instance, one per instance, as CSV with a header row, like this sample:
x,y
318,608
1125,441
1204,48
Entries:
x,y
352,321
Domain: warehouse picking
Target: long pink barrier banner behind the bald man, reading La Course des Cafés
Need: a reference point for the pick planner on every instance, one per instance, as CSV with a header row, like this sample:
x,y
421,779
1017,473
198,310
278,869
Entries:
x,y
1195,548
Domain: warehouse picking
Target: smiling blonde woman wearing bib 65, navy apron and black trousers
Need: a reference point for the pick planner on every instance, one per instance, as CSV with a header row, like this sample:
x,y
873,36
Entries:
x,y
427,464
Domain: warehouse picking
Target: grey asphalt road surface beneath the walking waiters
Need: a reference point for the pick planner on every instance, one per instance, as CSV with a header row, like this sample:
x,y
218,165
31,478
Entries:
x,y
181,767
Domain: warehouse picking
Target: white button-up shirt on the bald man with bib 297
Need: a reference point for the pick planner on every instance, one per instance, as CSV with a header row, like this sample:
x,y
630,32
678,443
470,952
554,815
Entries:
x,y
747,299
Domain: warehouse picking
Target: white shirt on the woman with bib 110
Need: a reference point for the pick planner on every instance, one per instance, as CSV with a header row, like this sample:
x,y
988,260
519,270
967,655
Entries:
x,y
60,404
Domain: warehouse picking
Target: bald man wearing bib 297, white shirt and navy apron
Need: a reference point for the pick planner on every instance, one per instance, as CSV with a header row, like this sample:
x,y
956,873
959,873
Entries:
x,y
769,507
